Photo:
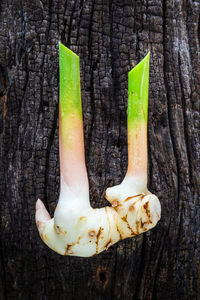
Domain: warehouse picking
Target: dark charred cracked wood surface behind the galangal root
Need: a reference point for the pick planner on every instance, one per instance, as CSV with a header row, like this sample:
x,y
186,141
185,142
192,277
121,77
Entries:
x,y
110,37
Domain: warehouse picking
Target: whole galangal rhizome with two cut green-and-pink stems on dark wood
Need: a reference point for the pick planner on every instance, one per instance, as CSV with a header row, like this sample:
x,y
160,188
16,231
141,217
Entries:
x,y
77,229
